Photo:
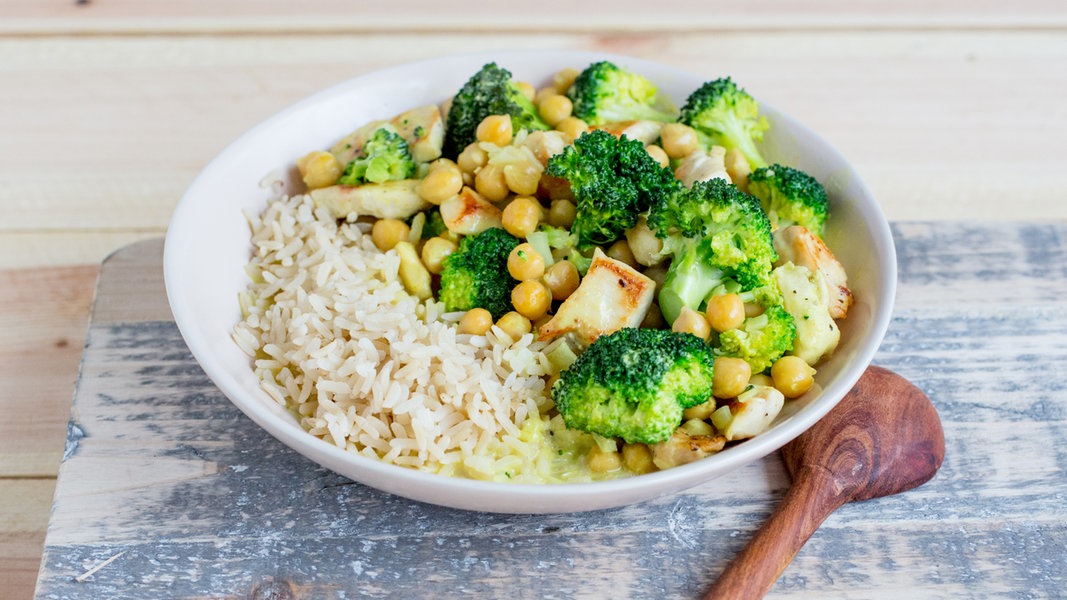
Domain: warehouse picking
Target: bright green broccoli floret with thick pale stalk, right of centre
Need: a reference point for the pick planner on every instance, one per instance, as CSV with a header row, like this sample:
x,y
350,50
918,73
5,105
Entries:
x,y
714,234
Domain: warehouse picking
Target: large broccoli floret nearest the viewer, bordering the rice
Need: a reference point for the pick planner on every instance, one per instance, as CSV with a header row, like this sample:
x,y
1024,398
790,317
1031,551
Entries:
x,y
635,384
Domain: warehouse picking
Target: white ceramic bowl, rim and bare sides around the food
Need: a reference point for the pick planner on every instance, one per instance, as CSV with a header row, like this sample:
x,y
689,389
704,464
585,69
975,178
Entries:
x,y
208,248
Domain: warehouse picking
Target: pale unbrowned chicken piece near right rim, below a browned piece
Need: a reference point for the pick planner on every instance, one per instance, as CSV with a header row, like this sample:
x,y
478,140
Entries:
x,y
806,297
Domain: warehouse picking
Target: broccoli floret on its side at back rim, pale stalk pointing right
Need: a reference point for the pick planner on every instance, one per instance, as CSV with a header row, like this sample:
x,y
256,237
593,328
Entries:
x,y
608,93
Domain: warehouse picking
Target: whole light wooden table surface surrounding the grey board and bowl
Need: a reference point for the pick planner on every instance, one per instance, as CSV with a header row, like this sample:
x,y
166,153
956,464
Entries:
x,y
108,109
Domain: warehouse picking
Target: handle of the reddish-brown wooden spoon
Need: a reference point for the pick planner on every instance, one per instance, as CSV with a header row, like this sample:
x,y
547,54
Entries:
x,y
753,574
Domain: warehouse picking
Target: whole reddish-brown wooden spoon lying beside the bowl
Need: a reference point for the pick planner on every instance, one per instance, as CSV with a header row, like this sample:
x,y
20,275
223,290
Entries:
x,y
884,438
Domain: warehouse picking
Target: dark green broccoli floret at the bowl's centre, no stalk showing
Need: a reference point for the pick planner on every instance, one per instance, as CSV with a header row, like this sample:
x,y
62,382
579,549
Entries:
x,y
614,181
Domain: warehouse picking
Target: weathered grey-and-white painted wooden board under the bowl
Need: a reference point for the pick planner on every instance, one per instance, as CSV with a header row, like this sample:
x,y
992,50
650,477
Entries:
x,y
168,492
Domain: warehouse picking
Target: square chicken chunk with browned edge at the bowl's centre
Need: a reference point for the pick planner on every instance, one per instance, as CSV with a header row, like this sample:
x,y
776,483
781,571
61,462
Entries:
x,y
612,296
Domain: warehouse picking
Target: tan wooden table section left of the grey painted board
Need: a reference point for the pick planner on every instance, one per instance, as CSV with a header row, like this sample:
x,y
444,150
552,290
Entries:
x,y
43,319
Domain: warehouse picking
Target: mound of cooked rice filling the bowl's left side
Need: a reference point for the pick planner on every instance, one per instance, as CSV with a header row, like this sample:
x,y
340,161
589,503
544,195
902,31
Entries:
x,y
336,339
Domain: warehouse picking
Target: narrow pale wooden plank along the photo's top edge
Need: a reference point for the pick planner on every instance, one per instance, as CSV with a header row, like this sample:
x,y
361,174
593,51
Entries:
x,y
30,17
